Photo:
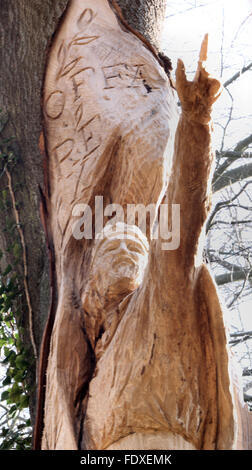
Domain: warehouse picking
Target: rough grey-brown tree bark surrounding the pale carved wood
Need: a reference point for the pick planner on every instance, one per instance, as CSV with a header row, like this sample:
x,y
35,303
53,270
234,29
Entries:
x,y
26,29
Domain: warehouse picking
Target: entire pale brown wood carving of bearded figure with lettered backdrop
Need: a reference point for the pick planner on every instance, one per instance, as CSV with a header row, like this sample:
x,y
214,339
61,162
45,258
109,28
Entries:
x,y
138,356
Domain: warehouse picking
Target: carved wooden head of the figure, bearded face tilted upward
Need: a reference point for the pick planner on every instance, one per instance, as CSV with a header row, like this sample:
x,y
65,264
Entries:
x,y
118,263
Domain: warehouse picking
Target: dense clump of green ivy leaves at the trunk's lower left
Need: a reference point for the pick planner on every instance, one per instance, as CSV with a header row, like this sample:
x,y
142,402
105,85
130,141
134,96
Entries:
x,y
16,361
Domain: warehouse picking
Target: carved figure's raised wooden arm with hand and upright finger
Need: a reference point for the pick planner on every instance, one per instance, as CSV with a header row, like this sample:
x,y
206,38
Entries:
x,y
190,181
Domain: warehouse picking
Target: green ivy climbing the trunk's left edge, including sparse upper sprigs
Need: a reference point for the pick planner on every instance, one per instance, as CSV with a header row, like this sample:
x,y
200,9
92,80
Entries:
x,y
15,426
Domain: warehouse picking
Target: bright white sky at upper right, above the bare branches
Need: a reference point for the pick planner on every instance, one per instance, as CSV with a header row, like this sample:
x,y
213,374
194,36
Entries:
x,y
230,48
